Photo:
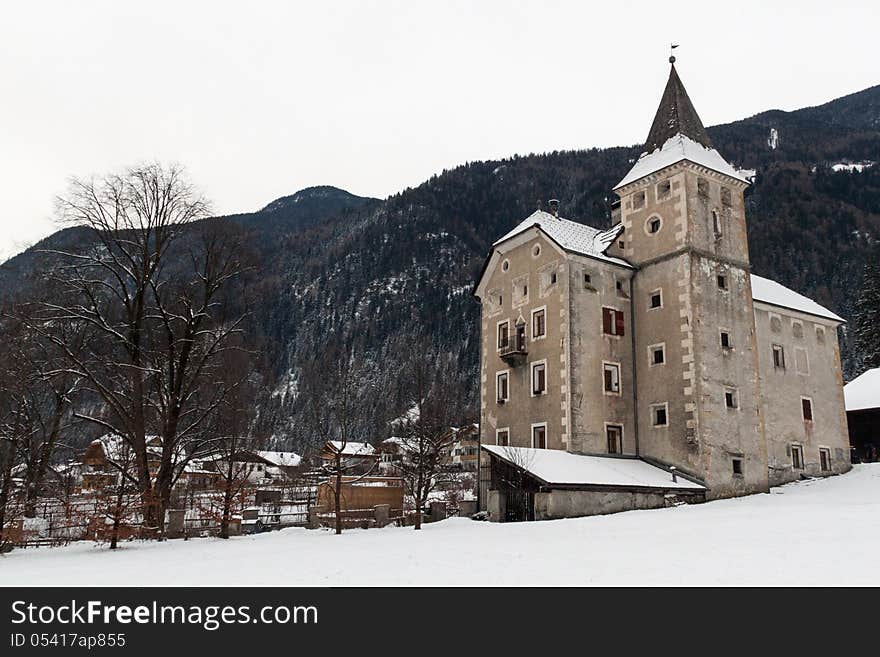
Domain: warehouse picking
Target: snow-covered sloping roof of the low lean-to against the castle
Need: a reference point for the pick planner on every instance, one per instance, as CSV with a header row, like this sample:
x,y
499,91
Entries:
x,y
556,466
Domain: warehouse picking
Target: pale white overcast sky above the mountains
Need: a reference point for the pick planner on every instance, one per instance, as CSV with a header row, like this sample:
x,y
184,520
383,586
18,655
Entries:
x,y
261,99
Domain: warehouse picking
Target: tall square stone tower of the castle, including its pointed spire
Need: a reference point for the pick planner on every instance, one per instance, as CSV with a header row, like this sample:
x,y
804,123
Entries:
x,y
697,382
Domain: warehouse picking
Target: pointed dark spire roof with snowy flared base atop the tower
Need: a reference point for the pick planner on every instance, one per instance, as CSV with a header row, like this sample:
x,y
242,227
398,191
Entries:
x,y
677,134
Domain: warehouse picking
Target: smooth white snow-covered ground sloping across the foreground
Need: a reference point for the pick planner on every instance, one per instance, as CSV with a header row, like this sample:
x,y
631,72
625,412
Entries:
x,y
818,532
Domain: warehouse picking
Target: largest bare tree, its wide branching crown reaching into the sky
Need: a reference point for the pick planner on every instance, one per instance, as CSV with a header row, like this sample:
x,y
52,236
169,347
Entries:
x,y
148,290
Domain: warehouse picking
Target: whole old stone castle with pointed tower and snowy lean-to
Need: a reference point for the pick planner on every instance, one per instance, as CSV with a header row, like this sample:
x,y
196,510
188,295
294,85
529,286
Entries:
x,y
644,365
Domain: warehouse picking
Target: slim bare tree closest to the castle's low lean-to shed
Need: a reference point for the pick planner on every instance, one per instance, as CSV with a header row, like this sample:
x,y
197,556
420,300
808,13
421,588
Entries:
x,y
425,434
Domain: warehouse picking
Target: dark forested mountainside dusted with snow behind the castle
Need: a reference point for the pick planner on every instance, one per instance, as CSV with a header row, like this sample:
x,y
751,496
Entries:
x,y
391,270
